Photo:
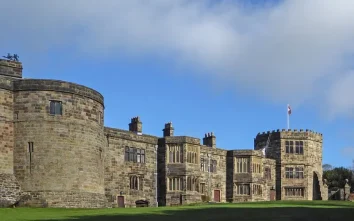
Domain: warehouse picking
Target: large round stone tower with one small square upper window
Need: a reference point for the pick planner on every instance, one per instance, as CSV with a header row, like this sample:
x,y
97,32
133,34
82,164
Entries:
x,y
59,141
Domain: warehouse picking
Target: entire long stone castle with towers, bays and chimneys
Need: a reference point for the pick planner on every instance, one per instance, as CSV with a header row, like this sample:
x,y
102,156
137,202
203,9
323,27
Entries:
x,y
56,152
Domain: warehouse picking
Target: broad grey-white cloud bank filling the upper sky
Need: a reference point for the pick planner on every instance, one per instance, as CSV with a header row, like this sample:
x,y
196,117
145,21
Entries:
x,y
290,52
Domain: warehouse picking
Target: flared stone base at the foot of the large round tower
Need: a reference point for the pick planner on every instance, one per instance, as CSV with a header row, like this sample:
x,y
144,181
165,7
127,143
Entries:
x,y
63,200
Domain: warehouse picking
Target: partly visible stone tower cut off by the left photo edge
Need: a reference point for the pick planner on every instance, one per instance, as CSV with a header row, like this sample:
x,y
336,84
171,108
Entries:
x,y
9,188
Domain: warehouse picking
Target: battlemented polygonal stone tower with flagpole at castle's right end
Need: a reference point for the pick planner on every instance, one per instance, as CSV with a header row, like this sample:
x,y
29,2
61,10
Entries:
x,y
298,155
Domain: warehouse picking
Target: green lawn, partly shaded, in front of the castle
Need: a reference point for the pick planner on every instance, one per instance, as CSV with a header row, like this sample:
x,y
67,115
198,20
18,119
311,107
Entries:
x,y
263,211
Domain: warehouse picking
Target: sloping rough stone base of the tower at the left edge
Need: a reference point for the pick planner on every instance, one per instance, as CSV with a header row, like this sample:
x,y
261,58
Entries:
x,y
10,190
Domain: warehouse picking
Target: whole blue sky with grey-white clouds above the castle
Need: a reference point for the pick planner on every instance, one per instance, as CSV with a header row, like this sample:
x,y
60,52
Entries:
x,y
223,66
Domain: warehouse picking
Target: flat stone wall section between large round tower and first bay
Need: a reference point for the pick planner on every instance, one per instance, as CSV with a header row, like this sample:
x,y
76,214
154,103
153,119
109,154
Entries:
x,y
119,172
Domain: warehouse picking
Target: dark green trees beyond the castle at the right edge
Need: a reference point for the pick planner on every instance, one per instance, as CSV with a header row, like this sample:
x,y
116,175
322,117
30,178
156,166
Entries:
x,y
336,177
